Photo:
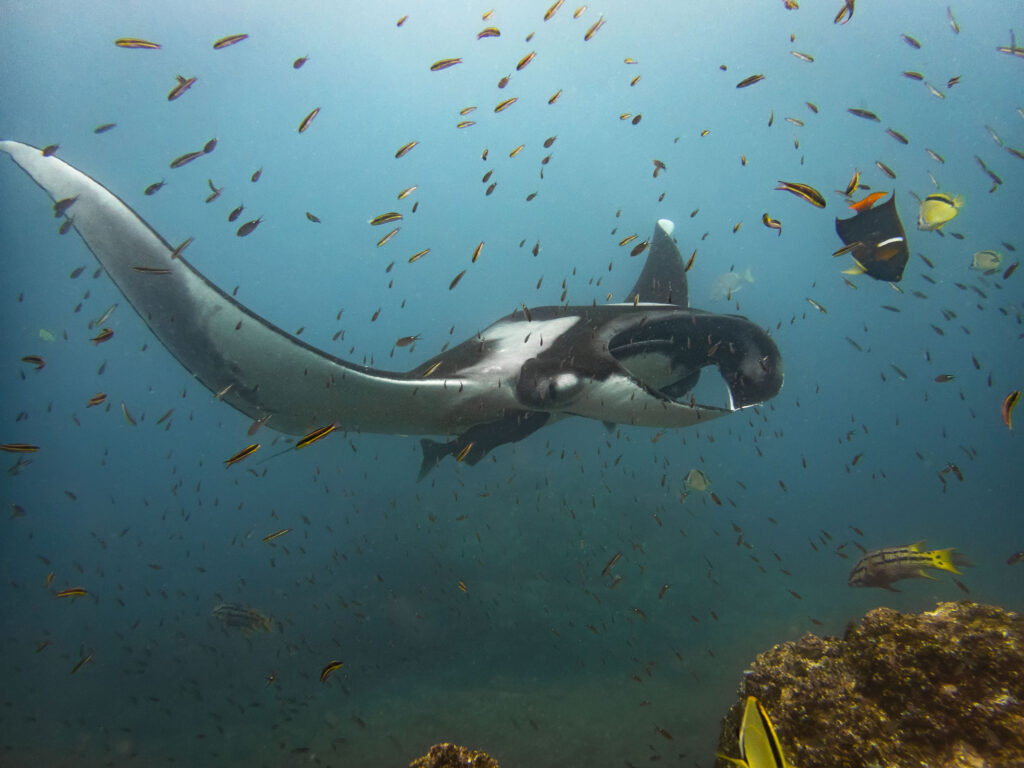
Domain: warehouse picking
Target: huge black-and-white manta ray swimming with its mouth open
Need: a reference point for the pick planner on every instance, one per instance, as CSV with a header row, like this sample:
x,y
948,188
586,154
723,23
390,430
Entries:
x,y
625,364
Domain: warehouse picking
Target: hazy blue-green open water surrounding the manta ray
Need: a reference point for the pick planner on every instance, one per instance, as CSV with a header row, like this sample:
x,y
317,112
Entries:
x,y
570,601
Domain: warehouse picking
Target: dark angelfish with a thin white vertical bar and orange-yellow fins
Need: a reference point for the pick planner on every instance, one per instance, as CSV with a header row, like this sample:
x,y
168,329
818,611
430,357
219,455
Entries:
x,y
879,241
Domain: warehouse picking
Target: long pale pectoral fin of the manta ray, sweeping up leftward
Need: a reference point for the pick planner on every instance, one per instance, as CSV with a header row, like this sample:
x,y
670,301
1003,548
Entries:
x,y
261,369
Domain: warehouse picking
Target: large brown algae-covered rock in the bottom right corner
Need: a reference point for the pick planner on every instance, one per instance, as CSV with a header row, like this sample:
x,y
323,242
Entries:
x,y
944,690
